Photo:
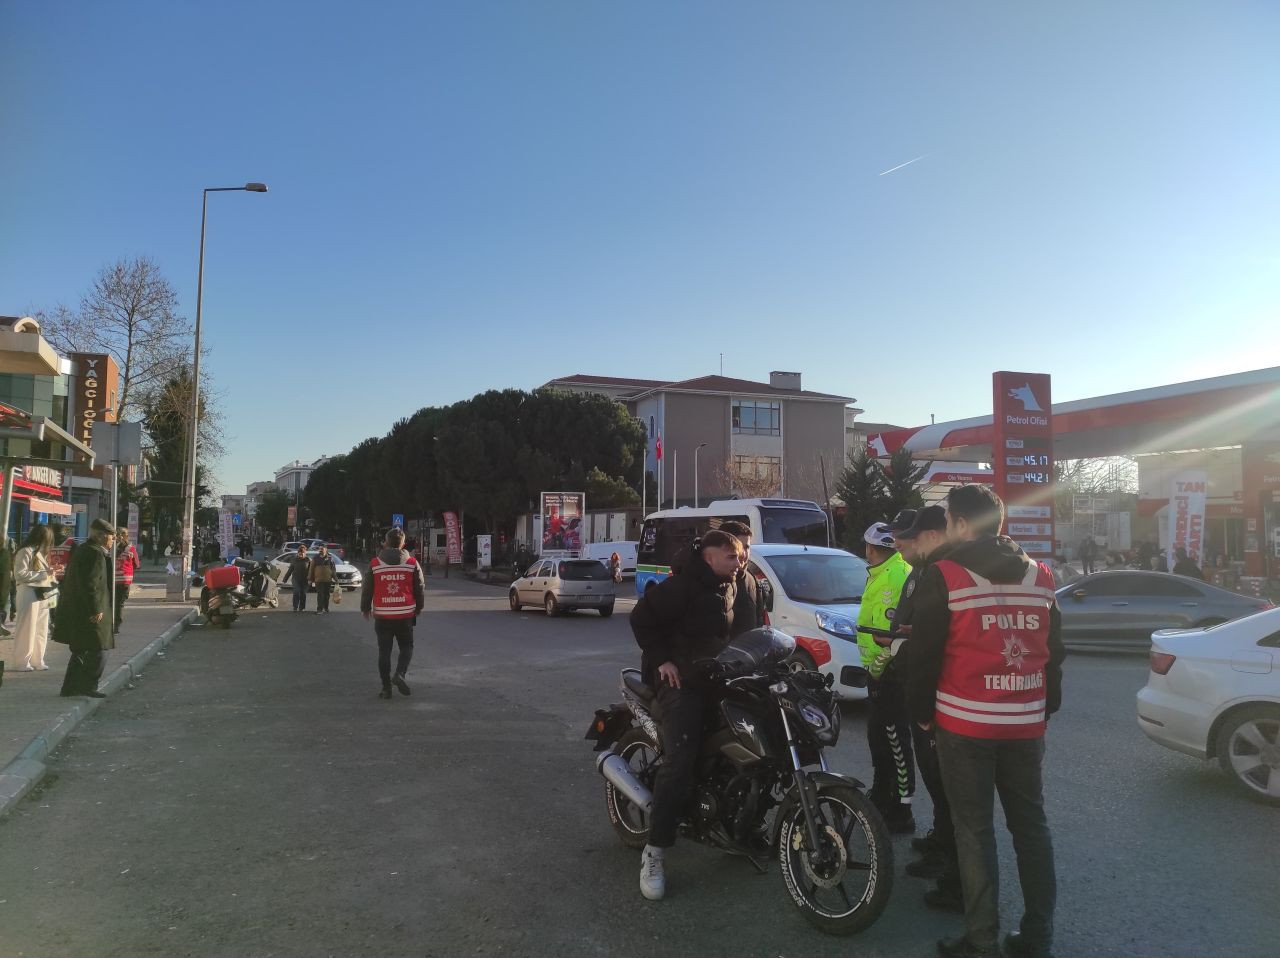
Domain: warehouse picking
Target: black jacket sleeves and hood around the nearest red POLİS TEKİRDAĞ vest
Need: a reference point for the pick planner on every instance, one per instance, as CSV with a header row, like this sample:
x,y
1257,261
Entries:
x,y
999,560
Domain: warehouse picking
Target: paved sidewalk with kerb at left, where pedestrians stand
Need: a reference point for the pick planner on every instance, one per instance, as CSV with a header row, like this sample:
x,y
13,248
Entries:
x,y
35,719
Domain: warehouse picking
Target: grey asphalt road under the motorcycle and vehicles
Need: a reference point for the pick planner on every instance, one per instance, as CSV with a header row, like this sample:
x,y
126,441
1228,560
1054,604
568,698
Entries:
x,y
254,797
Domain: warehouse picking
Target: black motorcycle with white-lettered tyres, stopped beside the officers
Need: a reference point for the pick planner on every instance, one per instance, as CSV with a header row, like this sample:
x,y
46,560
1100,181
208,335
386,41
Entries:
x,y
764,788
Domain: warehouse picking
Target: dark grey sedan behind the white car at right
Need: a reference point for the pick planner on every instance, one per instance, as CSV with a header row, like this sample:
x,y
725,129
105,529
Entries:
x,y
1122,609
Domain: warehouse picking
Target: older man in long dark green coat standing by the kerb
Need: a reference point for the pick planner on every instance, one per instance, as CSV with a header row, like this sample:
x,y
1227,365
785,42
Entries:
x,y
85,615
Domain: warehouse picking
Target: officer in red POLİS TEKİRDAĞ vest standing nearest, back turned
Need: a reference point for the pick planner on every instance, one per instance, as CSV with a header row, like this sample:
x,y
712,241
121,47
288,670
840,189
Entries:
x,y
988,672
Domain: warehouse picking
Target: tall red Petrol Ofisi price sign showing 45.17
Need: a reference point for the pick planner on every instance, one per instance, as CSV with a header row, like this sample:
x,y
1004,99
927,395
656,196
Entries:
x,y
1022,458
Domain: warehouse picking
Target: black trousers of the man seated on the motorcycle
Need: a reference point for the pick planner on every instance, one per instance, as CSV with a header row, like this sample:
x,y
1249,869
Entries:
x,y
680,724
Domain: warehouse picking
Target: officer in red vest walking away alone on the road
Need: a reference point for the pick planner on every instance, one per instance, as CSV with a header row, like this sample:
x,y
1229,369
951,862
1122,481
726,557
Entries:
x,y
394,595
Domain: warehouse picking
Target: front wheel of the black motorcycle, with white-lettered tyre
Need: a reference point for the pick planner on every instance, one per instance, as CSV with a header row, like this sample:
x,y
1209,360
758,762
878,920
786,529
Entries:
x,y
843,887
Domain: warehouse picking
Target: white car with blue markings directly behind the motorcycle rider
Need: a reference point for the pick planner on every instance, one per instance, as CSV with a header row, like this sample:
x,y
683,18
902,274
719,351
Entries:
x,y
813,595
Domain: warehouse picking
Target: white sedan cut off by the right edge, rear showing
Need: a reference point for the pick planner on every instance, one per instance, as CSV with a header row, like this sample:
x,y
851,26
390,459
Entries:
x,y
1215,694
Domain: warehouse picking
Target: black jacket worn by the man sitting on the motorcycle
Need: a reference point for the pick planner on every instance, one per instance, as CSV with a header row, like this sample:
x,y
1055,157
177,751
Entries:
x,y
685,618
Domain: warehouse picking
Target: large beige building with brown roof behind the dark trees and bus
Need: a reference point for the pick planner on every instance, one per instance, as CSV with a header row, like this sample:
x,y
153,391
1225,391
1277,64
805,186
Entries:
x,y
721,437
